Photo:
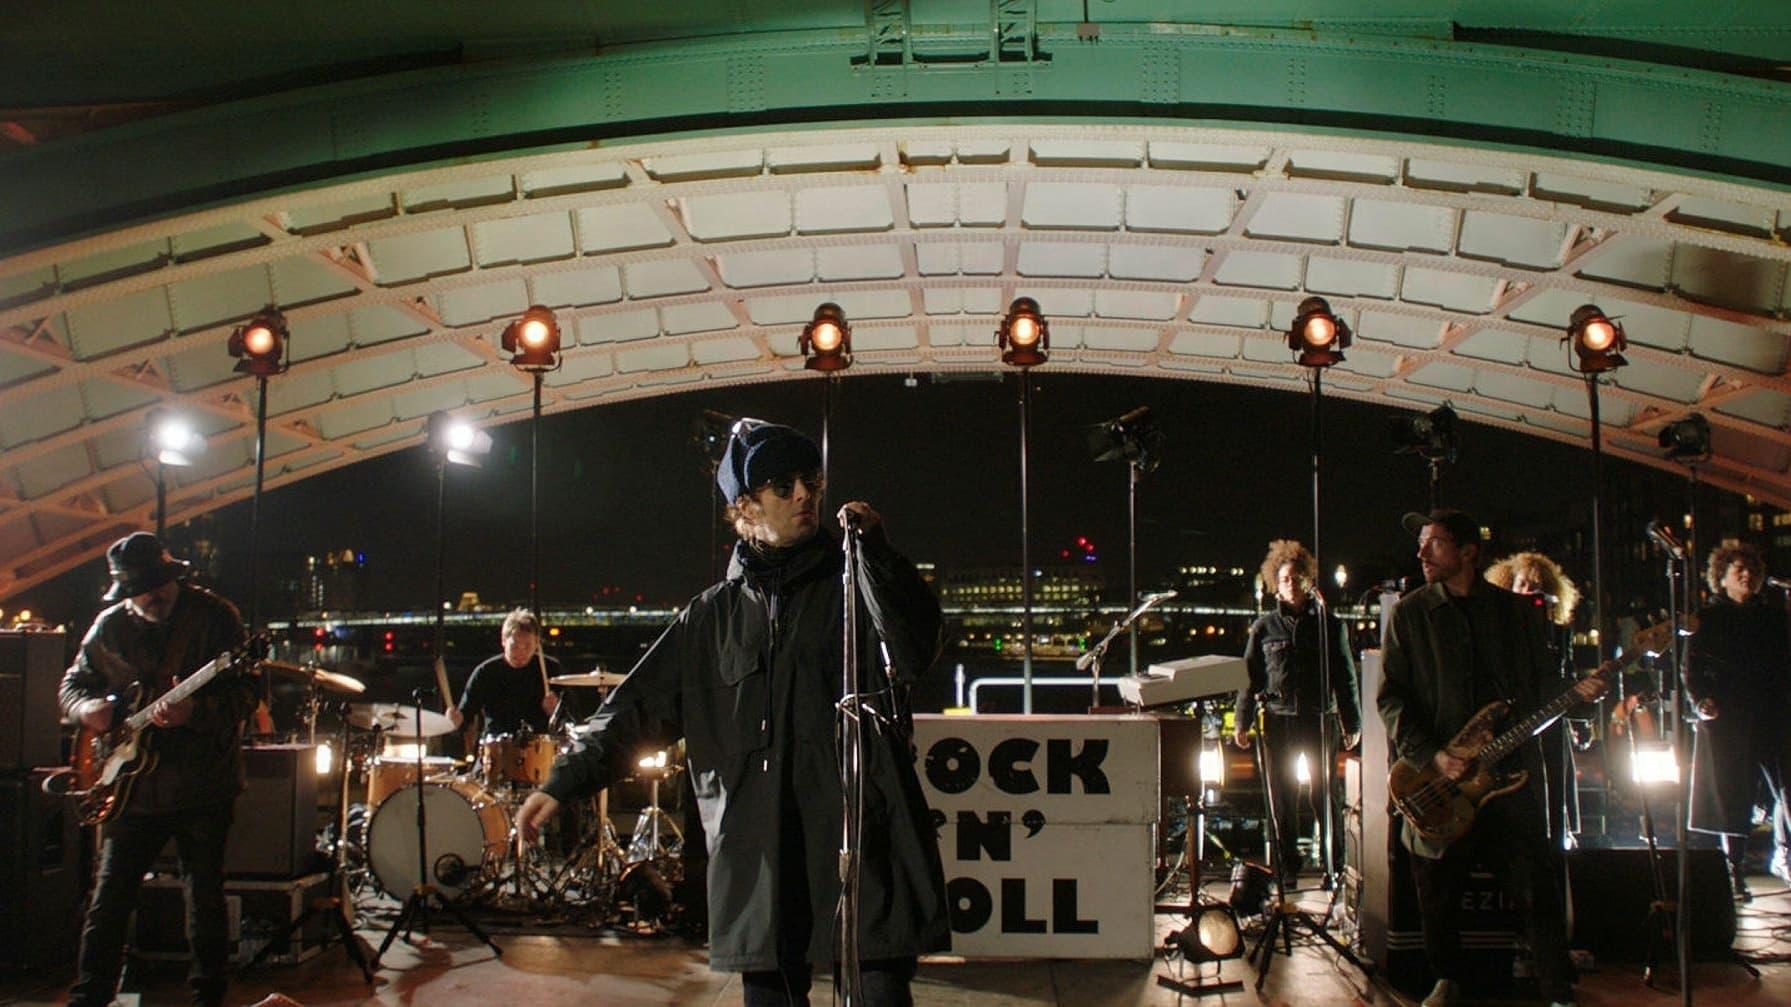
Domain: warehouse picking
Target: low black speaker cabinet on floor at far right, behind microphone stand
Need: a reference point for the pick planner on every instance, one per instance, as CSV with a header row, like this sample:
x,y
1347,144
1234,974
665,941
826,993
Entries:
x,y
1613,891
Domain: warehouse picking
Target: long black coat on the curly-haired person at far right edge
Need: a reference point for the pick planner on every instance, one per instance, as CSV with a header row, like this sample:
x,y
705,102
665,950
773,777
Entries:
x,y
1738,658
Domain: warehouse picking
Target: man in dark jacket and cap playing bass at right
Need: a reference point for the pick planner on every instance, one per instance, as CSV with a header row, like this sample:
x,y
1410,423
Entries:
x,y
1455,646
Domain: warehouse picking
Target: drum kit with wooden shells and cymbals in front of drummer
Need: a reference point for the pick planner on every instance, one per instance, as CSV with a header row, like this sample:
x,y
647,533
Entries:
x,y
470,839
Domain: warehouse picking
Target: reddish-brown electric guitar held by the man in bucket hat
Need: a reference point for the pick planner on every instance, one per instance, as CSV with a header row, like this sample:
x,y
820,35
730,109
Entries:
x,y
107,764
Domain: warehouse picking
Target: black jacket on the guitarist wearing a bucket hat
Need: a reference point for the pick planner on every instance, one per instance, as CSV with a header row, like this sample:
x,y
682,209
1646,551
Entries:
x,y
200,762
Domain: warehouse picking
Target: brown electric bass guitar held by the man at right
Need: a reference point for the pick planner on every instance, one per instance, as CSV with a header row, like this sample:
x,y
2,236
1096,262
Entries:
x,y
1443,811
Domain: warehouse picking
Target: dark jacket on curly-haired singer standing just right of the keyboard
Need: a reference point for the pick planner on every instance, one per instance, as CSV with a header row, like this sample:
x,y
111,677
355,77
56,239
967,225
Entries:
x,y
1283,662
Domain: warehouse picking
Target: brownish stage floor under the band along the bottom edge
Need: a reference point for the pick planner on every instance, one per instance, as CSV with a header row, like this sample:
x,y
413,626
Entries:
x,y
454,968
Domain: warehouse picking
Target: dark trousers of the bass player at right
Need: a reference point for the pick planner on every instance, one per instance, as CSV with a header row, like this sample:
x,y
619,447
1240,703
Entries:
x,y
1509,839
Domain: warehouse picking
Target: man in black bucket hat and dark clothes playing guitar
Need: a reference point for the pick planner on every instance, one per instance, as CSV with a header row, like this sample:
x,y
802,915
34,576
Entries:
x,y
159,632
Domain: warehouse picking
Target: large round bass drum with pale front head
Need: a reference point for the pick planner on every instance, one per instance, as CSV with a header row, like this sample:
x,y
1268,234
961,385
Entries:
x,y
468,832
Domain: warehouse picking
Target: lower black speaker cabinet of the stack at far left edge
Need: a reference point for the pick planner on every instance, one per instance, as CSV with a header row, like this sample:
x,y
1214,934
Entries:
x,y
40,875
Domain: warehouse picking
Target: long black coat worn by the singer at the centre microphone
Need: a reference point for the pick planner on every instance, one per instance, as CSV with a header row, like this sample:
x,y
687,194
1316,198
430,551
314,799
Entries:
x,y
750,676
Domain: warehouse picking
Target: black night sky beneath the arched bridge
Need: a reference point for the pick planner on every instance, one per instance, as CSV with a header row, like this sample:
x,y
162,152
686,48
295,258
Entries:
x,y
626,497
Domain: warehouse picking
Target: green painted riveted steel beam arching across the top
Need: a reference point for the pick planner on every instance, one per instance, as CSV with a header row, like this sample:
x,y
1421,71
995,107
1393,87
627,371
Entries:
x,y
1477,96
